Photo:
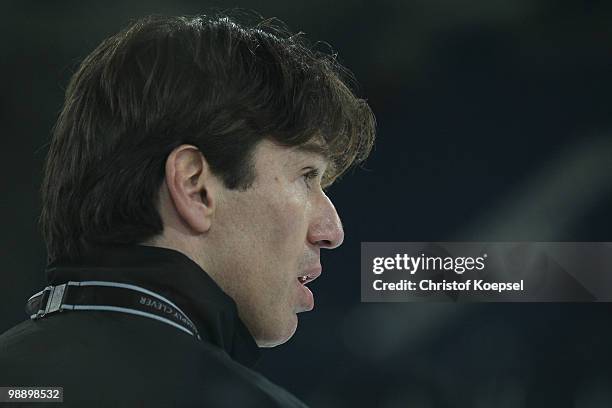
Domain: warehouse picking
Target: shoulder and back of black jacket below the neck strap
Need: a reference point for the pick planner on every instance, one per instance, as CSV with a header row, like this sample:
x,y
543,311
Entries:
x,y
120,359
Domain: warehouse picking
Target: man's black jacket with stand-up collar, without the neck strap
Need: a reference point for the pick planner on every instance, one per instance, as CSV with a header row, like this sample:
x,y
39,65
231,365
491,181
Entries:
x,y
106,358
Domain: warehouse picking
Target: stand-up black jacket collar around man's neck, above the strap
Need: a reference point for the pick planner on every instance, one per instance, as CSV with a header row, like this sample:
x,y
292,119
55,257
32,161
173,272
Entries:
x,y
173,275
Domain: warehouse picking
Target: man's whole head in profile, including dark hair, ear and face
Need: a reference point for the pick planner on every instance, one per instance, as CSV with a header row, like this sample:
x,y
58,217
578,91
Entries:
x,y
205,136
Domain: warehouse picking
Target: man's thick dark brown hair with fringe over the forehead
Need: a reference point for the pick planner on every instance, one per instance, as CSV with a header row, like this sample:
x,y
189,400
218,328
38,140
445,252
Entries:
x,y
206,81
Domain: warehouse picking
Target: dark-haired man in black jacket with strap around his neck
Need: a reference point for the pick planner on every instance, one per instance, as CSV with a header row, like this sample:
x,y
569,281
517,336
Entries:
x,y
184,214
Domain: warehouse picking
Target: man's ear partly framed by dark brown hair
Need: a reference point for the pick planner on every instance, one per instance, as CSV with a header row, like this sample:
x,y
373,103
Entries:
x,y
191,186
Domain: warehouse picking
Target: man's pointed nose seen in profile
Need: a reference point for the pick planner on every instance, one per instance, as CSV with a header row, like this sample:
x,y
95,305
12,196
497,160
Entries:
x,y
326,231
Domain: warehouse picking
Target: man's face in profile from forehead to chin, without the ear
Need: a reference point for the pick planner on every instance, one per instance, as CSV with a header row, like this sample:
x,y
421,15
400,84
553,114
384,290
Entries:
x,y
271,235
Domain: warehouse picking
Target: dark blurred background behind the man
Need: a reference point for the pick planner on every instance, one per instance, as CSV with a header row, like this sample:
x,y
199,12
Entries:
x,y
494,123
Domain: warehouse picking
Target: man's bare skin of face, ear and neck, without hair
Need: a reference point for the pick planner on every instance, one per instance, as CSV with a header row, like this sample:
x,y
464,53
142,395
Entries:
x,y
257,244
